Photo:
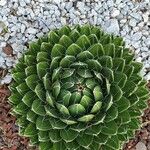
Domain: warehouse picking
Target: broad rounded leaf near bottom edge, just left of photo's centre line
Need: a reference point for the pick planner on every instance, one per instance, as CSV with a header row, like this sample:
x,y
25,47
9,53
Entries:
x,y
68,135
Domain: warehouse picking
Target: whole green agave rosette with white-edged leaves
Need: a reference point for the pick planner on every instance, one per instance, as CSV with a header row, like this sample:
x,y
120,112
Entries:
x,y
78,88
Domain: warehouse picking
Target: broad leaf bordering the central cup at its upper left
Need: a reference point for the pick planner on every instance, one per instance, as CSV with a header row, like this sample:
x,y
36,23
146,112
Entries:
x,y
67,61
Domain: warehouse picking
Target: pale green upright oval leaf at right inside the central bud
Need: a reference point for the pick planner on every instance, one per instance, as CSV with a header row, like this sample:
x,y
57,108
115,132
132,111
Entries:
x,y
97,92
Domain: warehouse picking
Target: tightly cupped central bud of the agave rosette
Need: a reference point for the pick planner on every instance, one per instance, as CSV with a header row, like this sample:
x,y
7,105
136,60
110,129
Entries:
x,y
77,93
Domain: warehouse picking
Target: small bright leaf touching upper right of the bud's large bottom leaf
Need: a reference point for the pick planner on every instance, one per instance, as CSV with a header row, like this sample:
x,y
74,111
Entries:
x,y
86,101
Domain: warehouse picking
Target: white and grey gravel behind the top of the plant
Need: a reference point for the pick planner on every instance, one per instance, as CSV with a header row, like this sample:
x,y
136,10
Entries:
x,y
25,20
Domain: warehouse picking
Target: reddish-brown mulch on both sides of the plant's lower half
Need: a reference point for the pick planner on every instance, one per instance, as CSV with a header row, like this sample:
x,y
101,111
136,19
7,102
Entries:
x,y
10,140
